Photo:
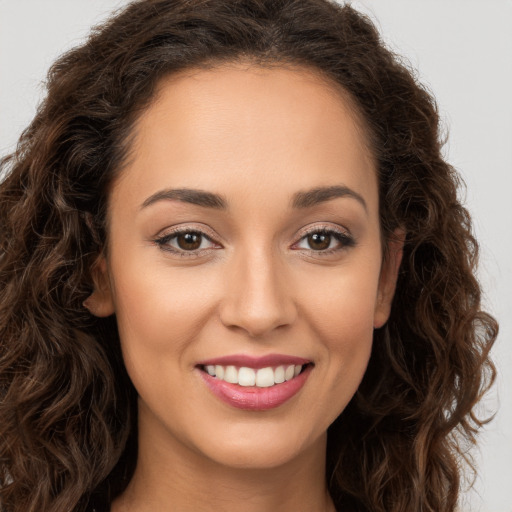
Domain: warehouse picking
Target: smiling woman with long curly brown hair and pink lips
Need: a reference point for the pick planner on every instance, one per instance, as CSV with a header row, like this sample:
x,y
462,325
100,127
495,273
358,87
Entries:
x,y
236,274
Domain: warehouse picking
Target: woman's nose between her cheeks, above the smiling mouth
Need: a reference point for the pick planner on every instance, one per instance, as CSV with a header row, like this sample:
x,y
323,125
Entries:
x,y
257,298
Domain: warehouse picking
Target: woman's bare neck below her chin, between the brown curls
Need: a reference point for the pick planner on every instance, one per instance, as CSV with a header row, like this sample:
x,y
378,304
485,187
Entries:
x,y
171,477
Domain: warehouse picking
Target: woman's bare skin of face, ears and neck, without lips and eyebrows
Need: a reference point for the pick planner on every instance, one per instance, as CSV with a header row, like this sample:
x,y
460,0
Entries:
x,y
256,137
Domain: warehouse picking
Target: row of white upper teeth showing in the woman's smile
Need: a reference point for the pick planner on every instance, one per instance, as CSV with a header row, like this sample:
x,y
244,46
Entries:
x,y
261,378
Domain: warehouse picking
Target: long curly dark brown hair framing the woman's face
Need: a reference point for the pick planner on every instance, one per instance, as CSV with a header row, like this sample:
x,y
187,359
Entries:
x,y
67,408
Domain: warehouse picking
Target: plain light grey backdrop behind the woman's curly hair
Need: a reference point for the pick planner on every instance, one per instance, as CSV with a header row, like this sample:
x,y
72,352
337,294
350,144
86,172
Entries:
x,y
462,50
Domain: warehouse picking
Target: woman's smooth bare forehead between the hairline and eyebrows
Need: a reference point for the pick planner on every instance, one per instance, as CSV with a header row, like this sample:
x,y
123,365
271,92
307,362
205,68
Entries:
x,y
280,126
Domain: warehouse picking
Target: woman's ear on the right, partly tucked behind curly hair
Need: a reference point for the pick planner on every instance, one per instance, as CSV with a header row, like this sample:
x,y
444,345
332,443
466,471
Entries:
x,y
388,277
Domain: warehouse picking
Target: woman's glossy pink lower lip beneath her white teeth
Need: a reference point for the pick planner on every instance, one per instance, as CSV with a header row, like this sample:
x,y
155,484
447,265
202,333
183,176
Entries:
x,y
253,398
